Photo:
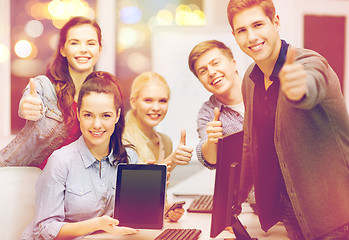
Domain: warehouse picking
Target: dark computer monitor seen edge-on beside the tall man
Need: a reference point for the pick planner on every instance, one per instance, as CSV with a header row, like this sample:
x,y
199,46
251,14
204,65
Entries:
x,y
226,190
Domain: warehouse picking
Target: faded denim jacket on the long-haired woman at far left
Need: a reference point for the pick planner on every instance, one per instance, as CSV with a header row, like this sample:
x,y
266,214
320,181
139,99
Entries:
x,y
38,139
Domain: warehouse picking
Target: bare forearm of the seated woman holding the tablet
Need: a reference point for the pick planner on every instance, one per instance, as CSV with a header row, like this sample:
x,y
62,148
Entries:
x,y
71,230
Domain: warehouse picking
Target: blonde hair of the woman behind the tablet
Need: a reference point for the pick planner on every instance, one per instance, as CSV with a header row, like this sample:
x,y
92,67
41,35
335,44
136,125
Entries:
x,y
133,134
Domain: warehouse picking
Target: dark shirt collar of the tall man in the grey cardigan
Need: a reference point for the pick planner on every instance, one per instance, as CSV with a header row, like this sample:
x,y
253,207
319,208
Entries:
x,y
257,74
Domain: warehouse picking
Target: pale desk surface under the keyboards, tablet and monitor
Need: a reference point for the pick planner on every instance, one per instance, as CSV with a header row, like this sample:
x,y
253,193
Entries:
x,y
202,221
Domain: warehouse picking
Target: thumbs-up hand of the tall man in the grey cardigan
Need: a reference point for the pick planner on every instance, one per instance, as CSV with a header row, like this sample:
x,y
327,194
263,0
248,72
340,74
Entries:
x,y
293,77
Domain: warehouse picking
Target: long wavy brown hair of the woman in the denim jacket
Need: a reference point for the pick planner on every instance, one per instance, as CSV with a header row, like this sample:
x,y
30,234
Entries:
x,y
58,71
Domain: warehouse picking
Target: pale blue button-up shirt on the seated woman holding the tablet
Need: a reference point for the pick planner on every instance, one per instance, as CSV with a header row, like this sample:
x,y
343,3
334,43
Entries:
x,y
73,187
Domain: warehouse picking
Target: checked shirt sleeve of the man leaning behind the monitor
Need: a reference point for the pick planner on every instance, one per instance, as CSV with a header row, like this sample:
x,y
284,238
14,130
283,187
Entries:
x,y
205,115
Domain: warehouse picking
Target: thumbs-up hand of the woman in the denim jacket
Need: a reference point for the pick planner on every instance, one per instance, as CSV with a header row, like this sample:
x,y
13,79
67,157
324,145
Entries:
x,y
30,106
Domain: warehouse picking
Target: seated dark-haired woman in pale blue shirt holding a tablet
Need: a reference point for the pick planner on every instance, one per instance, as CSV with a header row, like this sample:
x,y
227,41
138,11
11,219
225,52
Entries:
x,y
75,192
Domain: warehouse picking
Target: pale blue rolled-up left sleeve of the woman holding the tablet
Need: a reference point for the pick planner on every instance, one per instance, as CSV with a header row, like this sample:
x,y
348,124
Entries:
x,y
50,189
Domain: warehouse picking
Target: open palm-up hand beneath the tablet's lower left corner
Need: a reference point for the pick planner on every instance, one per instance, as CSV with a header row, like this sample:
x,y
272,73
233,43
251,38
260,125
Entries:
x,y
110,225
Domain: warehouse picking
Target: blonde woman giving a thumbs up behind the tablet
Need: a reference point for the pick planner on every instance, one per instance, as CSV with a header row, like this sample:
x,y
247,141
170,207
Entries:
x,y
149,98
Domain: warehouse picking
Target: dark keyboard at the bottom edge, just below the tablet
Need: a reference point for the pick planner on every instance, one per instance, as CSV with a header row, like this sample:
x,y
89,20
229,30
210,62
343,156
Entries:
x,y
179,234
